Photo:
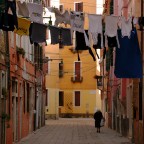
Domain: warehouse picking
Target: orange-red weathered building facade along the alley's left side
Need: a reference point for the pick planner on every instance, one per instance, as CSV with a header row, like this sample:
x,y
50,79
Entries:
x,y
22,87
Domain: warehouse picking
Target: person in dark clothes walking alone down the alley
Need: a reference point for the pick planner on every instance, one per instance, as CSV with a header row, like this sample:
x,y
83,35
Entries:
x,y
98,117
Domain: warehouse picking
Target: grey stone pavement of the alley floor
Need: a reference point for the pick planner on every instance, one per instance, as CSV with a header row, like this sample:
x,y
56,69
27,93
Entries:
x,y
73,131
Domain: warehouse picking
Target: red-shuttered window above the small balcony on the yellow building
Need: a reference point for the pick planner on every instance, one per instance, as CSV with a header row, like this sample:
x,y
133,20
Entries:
x,y
77,71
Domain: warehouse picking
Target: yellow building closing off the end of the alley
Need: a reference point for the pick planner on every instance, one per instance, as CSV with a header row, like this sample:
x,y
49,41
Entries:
x,y
72,88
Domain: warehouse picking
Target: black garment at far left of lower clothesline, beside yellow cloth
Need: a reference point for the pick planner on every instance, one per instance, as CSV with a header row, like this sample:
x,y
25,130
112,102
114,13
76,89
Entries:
x,y
7,22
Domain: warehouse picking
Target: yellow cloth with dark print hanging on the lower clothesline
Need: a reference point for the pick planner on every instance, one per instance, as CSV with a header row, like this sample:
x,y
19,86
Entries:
x,y
23,26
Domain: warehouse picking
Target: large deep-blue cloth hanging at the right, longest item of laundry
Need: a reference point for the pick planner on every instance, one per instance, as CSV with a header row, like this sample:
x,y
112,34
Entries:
x,y
128,62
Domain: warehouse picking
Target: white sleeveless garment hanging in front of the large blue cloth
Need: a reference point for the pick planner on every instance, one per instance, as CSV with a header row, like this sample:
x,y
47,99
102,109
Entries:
x,y
126,26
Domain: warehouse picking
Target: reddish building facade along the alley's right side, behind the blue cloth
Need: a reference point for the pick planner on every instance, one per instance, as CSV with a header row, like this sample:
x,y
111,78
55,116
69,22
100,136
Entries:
x,y
124,96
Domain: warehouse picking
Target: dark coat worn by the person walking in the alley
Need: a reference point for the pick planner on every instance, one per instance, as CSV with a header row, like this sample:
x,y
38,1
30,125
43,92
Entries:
x,y
98,116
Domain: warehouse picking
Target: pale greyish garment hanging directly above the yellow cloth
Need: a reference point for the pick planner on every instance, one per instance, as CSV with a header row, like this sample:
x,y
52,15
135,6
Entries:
x,y
23,9
